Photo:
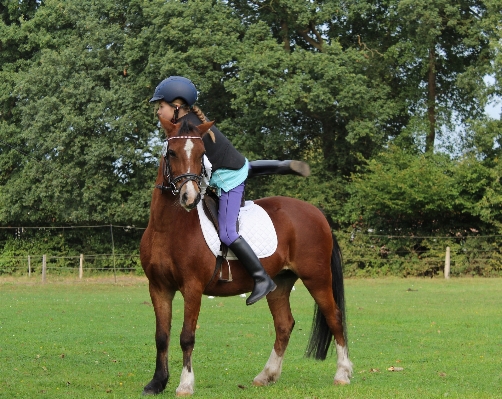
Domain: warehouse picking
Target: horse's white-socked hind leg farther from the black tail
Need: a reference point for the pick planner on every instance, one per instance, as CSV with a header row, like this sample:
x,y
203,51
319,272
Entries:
x,y
278,302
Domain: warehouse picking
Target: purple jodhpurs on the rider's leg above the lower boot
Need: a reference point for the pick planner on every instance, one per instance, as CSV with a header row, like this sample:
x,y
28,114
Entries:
x,y
228,212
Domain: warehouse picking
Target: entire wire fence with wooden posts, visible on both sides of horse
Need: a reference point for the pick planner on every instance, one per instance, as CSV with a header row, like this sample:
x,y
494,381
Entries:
x,y
111,248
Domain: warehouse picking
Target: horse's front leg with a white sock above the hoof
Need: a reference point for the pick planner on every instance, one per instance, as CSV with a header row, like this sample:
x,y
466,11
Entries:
x,y
187,342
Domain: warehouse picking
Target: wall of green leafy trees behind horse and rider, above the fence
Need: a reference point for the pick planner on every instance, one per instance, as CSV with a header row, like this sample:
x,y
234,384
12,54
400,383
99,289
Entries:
x,y
360,90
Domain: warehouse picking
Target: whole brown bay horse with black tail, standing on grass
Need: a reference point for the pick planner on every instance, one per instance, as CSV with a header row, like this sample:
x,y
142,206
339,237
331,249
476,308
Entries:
x,y
175,257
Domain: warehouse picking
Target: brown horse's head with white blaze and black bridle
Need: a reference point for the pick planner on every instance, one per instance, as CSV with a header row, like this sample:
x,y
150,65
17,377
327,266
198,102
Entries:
x,y
183,166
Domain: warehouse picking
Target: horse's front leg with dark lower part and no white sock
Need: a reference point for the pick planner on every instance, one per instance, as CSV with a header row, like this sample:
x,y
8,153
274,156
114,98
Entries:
x,y
162,300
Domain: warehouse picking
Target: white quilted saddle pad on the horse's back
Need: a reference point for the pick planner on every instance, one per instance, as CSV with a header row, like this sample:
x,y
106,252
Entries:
x,y
255,226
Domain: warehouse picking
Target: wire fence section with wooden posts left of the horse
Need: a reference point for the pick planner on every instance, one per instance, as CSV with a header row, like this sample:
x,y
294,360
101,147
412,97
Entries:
x,y
59,250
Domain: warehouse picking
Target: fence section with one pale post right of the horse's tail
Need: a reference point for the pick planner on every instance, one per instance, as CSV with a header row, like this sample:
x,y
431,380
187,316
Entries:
x,y
371,255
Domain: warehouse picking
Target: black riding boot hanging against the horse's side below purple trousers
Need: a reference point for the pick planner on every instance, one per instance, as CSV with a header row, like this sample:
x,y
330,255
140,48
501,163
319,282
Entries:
x,y
263,284
